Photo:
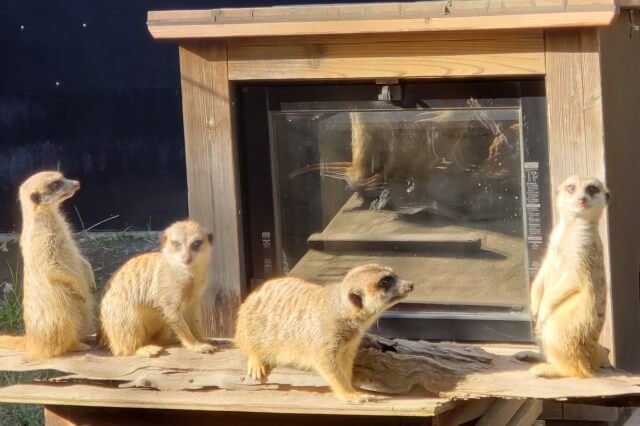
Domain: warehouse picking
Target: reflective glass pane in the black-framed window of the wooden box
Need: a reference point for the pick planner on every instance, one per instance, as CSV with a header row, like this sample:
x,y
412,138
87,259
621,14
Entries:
x,y
434,194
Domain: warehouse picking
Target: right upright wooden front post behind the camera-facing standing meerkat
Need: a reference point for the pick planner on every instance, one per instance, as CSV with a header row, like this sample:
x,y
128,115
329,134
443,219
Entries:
x,y
574,119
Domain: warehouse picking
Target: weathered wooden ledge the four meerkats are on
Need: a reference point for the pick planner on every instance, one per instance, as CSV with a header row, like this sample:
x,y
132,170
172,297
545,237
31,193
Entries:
x,y
448,383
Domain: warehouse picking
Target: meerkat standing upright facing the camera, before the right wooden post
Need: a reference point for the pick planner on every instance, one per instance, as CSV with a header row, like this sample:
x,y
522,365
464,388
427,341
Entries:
x,y
568,295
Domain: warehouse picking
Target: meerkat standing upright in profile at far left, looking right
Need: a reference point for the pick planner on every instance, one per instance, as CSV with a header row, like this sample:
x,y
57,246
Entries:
x,y
57,296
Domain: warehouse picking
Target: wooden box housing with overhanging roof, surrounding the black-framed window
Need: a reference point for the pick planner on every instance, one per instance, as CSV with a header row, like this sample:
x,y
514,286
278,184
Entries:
x,y
587,51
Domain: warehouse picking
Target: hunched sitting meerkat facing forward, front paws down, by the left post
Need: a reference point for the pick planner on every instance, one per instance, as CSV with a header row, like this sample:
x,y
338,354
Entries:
x,y
155,294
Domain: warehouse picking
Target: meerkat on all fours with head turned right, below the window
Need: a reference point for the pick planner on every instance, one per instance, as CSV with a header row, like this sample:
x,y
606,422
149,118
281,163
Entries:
x,y
292,322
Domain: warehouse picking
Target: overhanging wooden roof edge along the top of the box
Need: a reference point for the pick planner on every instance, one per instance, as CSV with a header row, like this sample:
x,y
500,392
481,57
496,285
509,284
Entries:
x,y
380,18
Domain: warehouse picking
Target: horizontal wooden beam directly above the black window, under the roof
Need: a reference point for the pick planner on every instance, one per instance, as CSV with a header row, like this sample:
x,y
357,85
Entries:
x,y
398,57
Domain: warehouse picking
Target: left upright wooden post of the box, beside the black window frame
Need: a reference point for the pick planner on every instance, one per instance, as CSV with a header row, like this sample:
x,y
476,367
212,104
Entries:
x,y
211,174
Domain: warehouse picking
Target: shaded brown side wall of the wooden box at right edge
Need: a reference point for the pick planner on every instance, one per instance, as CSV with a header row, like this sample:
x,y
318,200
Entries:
x,y
620,64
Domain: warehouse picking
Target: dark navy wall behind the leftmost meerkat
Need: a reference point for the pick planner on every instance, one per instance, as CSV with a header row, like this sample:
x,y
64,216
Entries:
x,y
84,88
